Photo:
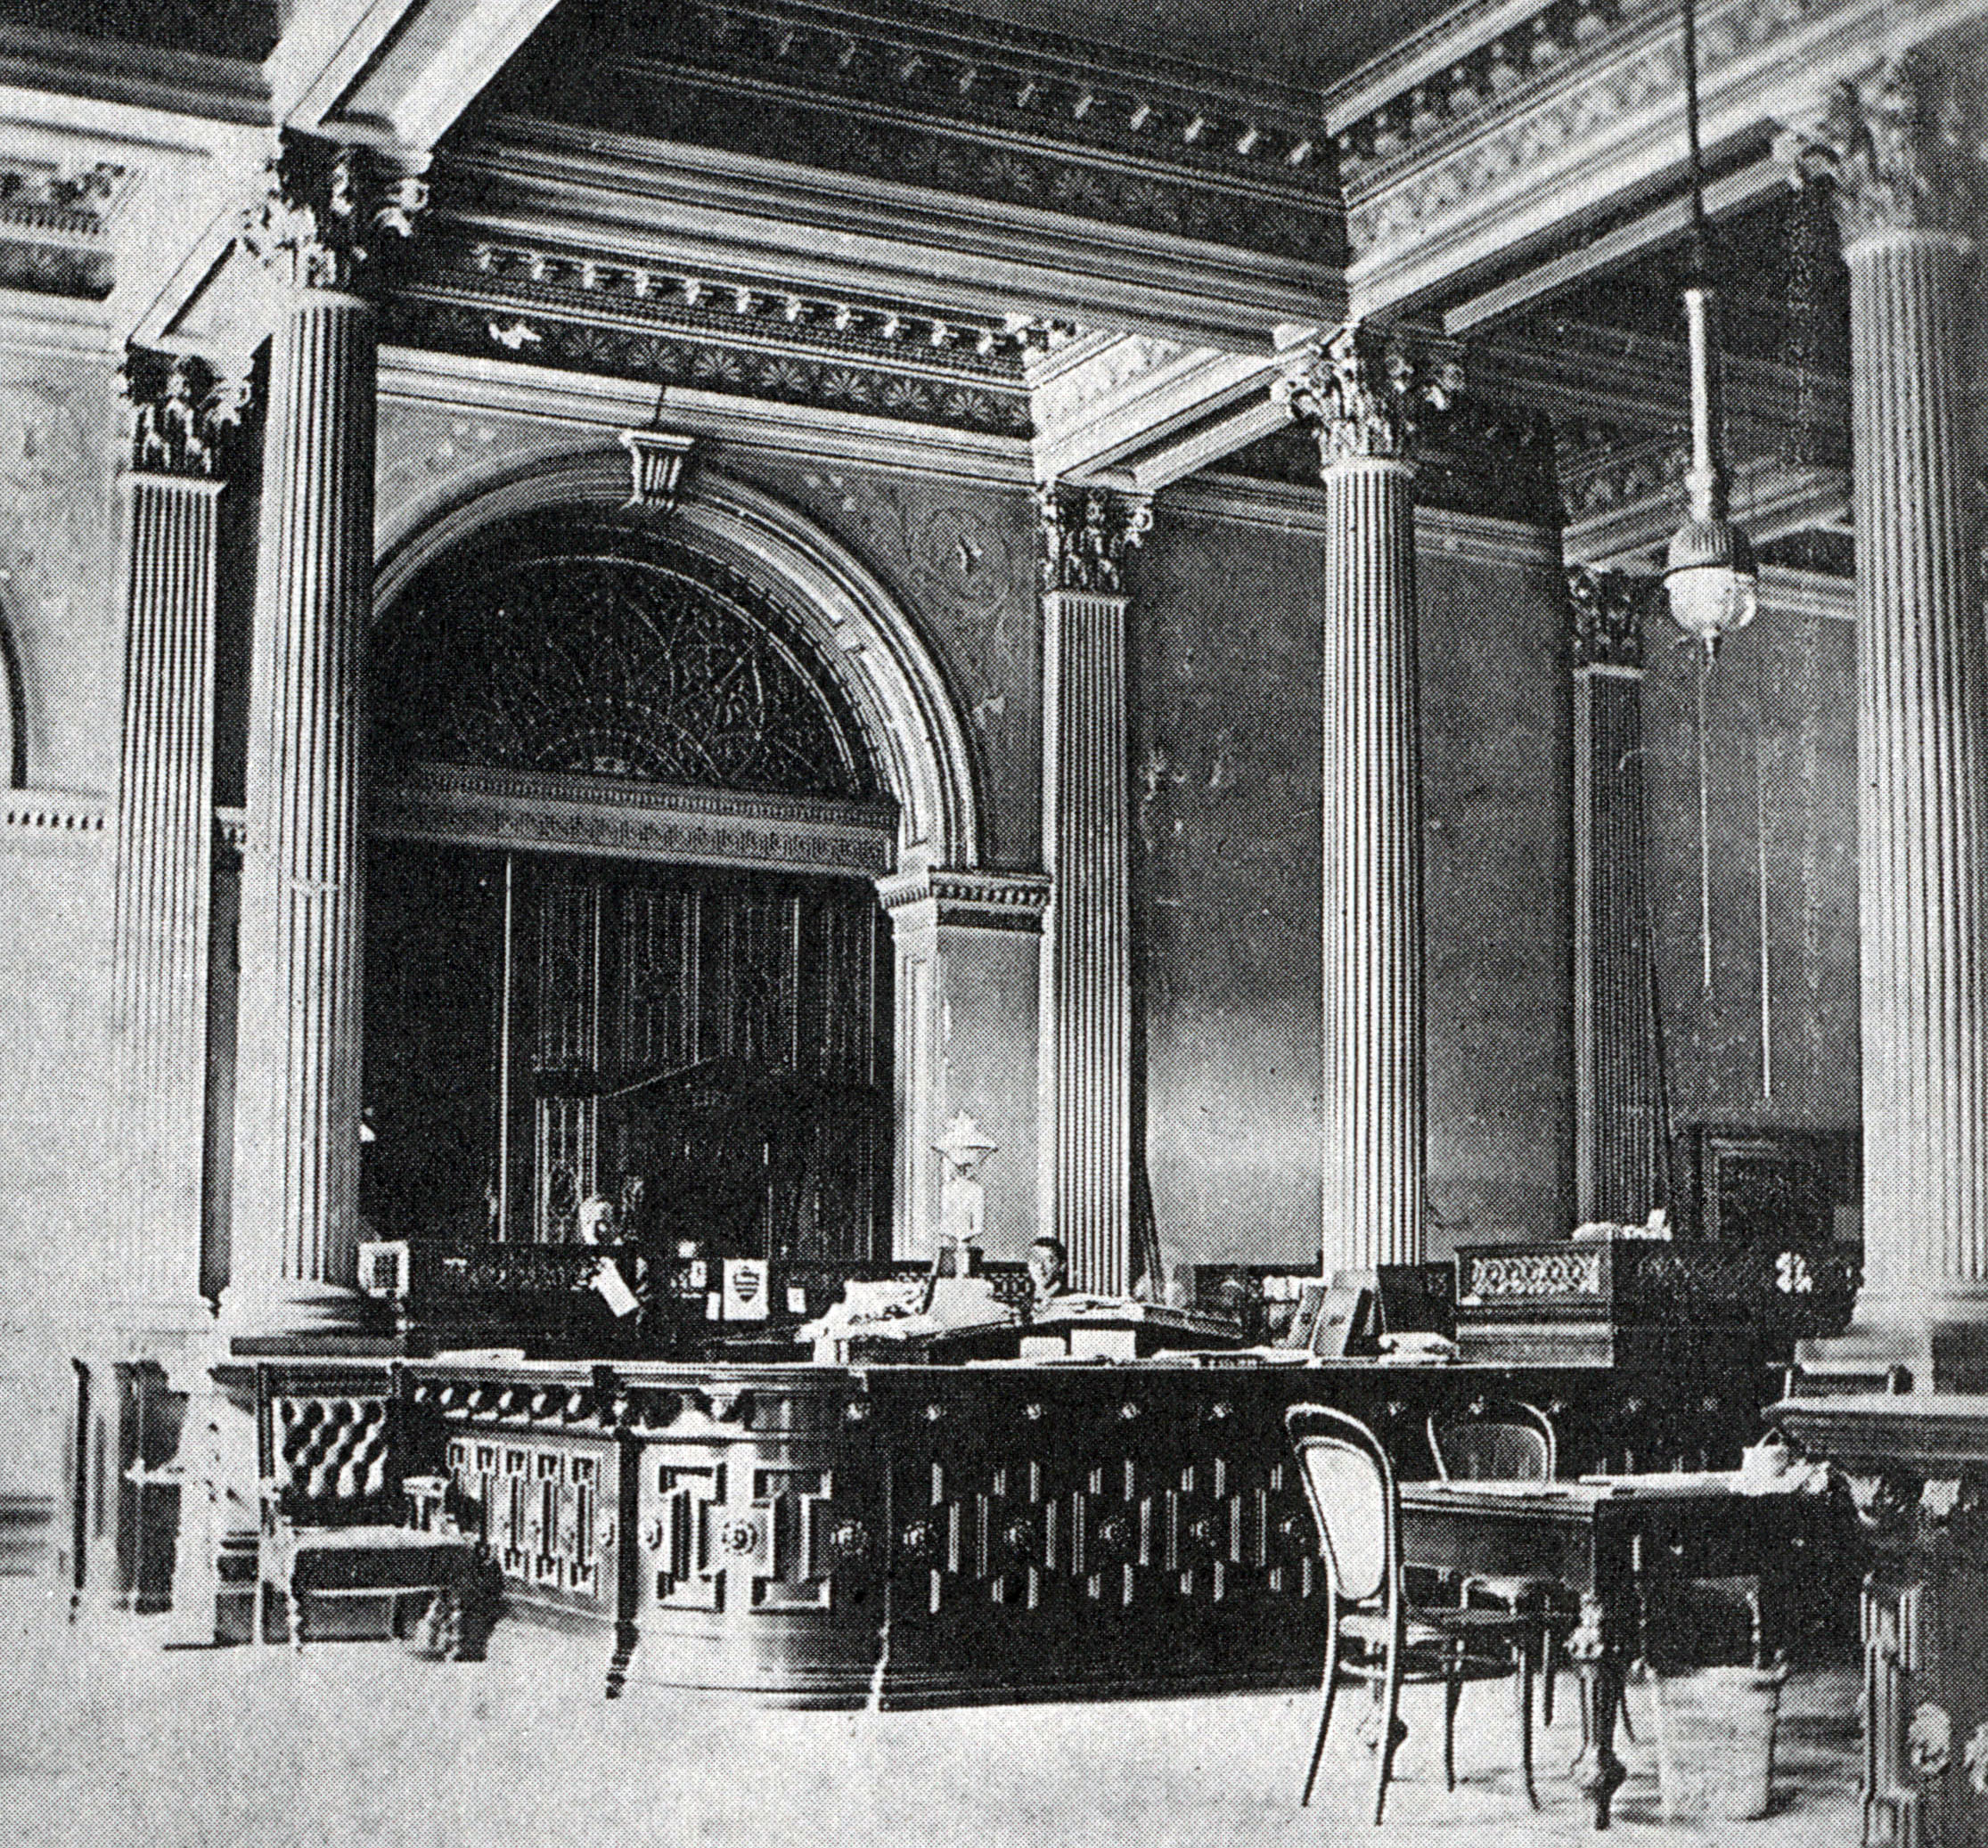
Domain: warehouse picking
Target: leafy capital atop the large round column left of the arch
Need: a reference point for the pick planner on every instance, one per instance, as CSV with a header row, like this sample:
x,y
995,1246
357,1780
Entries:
x,y
331,214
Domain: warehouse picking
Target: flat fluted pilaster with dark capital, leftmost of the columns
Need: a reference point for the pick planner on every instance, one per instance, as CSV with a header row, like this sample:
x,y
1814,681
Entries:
x,y
166,824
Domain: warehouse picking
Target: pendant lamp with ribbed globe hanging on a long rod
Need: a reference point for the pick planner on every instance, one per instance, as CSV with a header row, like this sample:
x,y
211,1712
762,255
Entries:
x,y
1709,575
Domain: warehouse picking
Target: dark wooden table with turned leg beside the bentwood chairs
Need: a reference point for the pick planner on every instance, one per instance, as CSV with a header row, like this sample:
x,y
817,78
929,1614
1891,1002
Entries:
x,y
1609,1541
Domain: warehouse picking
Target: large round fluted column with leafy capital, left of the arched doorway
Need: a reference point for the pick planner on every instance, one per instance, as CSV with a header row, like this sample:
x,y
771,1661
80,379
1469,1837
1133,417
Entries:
x,y
299,1038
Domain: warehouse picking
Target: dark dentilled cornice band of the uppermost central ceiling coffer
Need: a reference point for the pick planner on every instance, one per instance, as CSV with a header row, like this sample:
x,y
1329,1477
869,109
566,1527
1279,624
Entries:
x,y
1001,120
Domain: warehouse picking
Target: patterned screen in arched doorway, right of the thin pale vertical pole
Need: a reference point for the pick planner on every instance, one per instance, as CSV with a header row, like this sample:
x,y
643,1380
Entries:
x,y
707,1054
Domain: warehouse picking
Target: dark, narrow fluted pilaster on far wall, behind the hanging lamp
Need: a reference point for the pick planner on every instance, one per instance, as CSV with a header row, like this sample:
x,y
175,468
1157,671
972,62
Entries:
x,y
1617,1094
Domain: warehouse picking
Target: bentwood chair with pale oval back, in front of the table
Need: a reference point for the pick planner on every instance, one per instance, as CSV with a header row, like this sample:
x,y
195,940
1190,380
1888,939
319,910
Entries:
x,y
1375,1632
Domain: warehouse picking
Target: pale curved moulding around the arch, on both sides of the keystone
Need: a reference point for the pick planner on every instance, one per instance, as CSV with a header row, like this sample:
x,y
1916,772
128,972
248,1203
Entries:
x,y
862,633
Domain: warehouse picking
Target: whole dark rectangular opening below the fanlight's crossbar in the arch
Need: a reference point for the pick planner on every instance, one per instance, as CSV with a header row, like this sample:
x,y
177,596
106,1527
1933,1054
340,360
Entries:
x,y
707,1050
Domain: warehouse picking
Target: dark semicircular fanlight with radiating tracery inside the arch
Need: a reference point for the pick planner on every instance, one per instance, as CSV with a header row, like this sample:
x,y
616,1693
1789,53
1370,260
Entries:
x,y
605,653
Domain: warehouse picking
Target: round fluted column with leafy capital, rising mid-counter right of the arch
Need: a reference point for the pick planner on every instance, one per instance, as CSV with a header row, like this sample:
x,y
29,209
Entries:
x,y
1361,404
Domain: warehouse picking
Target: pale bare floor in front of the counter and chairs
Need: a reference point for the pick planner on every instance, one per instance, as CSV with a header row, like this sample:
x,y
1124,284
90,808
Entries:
x,y
110,1740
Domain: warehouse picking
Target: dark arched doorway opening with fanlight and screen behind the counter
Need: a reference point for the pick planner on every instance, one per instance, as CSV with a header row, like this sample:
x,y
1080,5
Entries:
x,y
623,931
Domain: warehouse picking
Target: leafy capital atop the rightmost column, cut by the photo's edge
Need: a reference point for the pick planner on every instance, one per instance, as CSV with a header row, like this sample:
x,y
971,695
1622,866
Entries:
x,y
1902,150
